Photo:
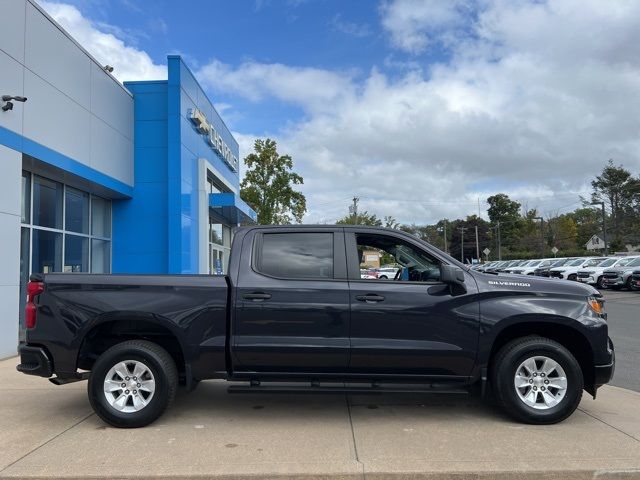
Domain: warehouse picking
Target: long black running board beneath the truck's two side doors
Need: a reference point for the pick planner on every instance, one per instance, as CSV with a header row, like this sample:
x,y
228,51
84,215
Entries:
x,y
368,389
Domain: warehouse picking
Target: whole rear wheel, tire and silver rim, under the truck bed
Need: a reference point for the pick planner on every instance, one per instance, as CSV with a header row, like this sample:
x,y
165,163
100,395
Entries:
x,y
132,384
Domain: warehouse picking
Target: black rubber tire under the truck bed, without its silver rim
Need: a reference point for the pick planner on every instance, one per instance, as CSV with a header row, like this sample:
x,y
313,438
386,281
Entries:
x,y
165,375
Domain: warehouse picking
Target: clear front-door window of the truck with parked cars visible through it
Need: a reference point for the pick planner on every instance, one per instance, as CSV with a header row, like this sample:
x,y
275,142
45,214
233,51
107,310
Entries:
x,y
410,263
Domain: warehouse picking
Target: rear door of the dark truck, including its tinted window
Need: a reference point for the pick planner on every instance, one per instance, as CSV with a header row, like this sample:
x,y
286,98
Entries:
x,y
292,302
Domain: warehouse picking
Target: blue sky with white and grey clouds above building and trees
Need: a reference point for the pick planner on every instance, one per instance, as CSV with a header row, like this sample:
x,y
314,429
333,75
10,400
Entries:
x,y
421,108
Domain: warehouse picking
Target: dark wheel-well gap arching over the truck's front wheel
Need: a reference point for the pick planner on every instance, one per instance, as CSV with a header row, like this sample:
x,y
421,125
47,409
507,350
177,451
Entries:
x,y
568,337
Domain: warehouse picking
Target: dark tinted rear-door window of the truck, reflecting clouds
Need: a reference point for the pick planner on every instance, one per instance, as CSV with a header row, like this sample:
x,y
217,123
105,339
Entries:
x,y
297,255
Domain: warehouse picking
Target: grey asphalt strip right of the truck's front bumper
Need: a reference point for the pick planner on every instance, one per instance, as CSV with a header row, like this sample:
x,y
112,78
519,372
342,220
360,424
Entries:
x,y
623,314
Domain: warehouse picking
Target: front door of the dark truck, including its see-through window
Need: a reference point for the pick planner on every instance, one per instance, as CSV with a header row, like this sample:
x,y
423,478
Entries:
x,y
413,323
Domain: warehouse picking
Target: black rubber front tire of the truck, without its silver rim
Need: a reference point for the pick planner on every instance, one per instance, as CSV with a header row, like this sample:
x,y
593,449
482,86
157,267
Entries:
x,y
503,371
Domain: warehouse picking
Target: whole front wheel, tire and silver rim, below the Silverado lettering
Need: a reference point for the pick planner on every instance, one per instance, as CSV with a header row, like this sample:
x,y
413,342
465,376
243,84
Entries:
x,y
537,380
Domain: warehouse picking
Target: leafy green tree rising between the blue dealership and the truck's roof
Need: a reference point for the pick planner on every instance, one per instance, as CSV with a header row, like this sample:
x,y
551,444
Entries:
x,y
268,185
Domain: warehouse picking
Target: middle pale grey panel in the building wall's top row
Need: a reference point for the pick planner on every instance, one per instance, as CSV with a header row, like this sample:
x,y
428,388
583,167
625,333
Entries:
x,y
54,57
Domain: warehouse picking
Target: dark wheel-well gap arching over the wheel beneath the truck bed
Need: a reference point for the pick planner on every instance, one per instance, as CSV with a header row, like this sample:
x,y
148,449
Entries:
x,y
106,335
